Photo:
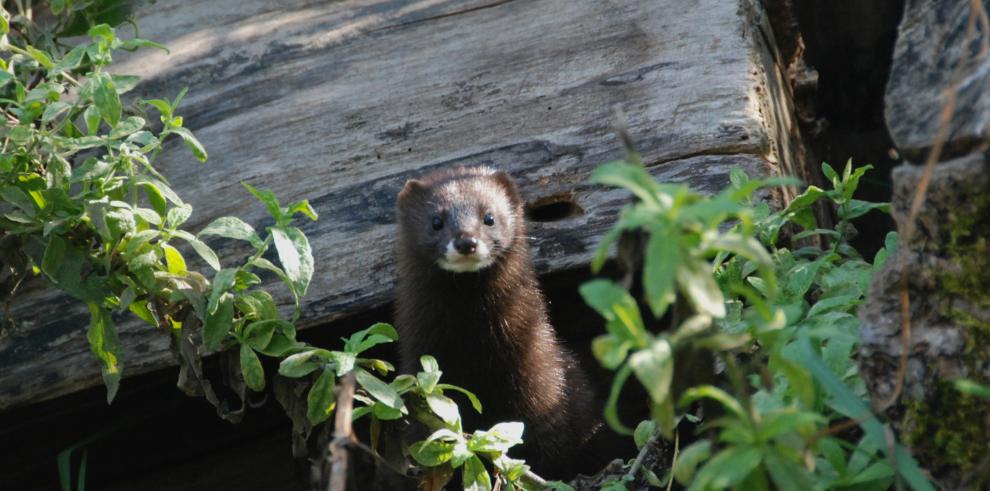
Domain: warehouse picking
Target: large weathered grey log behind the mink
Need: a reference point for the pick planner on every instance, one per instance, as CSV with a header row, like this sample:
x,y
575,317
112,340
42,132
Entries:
x,y
340,102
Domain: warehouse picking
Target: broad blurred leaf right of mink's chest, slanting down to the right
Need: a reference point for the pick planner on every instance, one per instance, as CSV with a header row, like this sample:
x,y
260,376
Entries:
x,y
618,308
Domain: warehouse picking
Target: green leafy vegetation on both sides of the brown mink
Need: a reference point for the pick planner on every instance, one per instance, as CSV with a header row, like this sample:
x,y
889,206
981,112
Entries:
x,y
84,207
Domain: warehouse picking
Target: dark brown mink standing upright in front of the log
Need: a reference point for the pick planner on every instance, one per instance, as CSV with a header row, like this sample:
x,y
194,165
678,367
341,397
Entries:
x,y
468,295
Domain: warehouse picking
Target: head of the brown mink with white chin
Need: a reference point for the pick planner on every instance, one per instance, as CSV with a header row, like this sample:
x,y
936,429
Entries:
x,y
461,220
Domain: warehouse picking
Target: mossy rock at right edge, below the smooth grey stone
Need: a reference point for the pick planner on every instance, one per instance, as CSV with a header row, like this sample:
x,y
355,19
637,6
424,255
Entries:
x,y
946,268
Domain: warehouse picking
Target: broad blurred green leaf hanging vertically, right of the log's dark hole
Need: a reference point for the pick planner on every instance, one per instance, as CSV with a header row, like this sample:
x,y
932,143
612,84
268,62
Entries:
x,y
663,254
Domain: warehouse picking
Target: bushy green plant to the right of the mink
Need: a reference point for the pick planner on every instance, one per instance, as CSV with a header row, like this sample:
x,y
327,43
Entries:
x,y
781,323
